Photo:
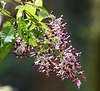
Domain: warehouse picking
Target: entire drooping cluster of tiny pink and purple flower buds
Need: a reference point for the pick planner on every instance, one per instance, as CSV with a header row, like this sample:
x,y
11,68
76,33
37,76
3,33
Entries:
x,y
59,56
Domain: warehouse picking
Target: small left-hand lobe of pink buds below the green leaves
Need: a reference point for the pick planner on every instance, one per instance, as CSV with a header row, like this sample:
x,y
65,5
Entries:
x,y
22,48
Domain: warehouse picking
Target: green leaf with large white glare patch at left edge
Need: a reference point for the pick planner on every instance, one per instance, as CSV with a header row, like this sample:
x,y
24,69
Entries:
x,y
7,35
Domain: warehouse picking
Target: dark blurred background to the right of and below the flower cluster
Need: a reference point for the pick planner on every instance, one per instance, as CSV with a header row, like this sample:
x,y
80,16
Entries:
x,y
83,18
